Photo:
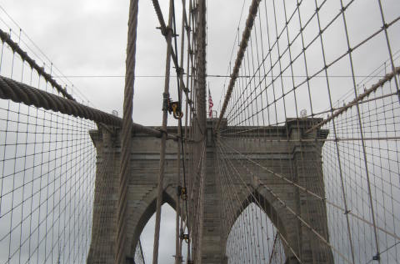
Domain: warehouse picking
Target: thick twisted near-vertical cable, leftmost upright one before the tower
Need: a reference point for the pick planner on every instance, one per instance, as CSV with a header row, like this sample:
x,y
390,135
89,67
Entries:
x,y
126,133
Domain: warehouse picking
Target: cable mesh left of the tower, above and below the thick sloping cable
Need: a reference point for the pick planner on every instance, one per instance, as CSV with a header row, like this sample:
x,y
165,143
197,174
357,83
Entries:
x,y
47,164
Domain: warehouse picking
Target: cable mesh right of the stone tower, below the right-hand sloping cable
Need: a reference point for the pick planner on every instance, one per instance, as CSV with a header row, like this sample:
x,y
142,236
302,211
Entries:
x,y
380,121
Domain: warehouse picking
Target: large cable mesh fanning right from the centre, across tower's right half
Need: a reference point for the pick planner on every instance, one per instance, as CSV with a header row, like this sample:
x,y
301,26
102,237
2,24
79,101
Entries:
x,y
320,67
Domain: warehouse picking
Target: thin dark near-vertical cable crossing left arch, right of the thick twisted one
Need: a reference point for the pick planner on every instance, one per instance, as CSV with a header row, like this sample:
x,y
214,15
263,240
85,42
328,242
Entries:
x,y
164,136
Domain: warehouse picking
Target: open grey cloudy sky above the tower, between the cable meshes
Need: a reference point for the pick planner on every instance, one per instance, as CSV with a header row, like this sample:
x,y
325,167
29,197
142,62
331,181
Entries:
x,y
88,38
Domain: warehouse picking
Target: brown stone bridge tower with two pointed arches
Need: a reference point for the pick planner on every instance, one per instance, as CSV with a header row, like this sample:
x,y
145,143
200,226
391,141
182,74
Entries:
x,y
301,165
